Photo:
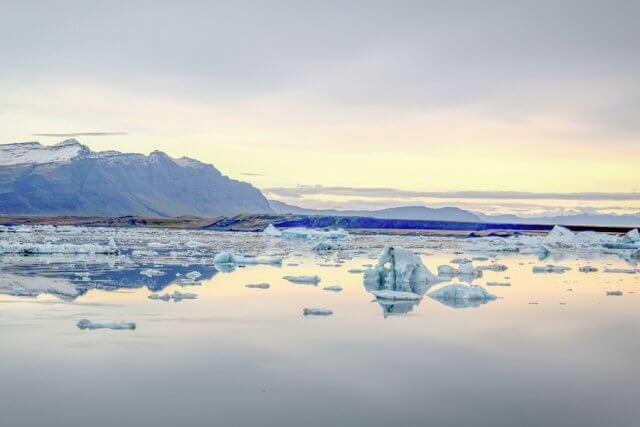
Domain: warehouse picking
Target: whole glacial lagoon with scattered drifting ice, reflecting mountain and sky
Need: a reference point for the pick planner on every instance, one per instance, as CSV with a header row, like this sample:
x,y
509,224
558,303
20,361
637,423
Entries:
x,y
553,348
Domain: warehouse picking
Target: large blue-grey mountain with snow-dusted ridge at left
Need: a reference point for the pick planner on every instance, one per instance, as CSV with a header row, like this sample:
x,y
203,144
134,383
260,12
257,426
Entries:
x,y
70,179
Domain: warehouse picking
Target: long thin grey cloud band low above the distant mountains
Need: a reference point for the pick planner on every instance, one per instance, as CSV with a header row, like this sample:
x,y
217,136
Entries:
x,y
393,193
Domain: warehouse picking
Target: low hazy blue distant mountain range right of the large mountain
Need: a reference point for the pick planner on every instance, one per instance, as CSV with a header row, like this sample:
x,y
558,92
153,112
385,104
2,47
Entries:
x,y
456,214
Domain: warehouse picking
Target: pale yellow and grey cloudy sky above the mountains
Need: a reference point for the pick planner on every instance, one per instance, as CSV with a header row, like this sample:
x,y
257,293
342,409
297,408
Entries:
x,y
512,99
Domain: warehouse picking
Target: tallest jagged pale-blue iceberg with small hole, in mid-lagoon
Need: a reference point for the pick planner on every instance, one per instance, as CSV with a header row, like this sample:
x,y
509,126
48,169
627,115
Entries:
x,y
399,269
